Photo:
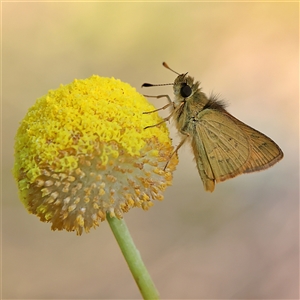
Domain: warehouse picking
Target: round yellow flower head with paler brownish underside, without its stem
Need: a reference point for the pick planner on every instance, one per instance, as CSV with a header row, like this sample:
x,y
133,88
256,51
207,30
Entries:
x,y
83,151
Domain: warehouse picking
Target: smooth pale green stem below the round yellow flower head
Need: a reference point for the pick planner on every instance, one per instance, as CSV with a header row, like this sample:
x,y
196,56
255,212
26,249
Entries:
x,y
133,258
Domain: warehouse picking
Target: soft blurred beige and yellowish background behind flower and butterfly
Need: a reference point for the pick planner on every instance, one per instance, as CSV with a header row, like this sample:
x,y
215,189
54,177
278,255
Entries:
x,y
240,242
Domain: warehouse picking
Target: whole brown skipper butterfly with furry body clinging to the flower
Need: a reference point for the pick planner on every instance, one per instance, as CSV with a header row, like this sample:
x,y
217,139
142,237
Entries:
x,y
223,146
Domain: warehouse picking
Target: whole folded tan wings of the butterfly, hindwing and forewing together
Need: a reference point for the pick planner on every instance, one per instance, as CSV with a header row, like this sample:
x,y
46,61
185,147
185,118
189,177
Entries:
x,y
225,147
